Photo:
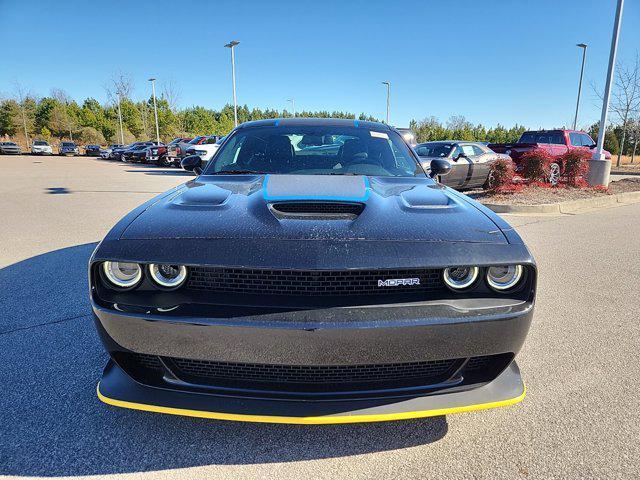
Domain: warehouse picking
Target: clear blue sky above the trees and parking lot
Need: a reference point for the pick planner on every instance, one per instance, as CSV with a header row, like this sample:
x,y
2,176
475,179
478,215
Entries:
x,y
491,61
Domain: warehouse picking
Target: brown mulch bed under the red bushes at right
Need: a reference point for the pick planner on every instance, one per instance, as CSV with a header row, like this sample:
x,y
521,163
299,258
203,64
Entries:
x,y
534,195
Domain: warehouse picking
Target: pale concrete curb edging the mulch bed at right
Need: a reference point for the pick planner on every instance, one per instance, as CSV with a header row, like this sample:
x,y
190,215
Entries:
x,y
571,206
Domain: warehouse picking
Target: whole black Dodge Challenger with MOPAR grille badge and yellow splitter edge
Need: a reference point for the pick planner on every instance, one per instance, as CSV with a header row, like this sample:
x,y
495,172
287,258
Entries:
x,y
312,273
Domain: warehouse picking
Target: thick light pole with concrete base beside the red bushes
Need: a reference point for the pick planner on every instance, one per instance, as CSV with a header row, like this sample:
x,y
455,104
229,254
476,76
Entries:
x,y
599,167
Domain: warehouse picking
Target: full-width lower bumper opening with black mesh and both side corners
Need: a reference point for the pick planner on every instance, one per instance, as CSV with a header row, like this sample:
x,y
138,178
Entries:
x,y
307,379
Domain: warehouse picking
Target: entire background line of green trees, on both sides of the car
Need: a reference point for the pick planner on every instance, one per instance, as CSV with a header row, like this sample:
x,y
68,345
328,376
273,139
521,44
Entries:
x,y
57,117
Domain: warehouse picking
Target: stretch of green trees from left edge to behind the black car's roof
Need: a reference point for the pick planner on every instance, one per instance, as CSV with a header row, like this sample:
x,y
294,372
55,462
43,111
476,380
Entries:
x,y
58,117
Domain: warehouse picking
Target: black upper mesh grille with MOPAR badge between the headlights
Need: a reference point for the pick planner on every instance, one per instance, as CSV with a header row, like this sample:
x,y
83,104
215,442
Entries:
x,y
313,282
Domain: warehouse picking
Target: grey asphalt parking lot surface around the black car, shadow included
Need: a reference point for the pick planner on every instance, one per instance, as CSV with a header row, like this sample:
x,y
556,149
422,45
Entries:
x,y
581,417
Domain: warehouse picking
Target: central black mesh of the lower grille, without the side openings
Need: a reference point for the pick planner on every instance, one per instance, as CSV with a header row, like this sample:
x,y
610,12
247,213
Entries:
x,y
311,374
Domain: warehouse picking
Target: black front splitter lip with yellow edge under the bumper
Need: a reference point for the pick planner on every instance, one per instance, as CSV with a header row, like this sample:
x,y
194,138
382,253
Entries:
x,y
118,389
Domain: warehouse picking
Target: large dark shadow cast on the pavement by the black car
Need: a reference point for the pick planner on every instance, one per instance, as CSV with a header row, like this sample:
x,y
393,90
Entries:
x,y
53,424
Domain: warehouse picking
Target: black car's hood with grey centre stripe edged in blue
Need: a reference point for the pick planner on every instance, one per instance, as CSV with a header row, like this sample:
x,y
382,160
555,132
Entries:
x,y
240,207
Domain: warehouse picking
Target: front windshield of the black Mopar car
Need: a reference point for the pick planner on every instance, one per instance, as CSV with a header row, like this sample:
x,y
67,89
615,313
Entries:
x,y
315,150
